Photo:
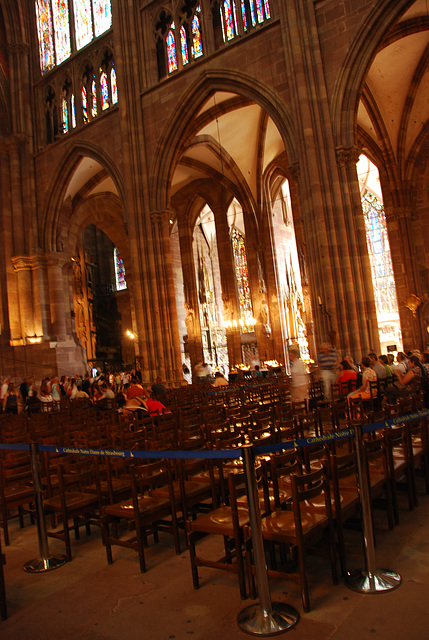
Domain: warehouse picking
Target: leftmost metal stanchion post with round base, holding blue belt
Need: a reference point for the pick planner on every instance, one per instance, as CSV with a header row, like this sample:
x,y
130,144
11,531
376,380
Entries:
x,y
45,562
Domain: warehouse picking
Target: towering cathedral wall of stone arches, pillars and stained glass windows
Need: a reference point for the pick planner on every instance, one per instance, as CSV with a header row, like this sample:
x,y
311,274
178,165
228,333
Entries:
x,y
183,184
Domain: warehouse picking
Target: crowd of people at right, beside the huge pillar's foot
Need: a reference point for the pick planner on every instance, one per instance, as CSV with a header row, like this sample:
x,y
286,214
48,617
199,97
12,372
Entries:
x,y
405,374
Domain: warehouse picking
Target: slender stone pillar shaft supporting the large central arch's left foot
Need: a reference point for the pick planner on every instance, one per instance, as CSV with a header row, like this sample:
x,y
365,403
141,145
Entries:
x,y
166,296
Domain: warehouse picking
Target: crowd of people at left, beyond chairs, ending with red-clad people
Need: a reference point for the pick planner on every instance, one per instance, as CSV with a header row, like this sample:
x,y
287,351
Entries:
x,y
121,389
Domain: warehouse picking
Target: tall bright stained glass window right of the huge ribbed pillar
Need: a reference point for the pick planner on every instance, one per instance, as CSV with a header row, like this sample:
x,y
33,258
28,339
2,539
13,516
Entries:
x,y
379,254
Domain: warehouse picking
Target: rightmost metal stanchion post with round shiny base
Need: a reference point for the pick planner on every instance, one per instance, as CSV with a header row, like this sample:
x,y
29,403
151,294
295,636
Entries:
x,y
370,580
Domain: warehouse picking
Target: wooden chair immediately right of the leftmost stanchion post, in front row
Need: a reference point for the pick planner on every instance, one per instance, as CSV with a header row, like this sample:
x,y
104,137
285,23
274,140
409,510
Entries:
x,y
74,503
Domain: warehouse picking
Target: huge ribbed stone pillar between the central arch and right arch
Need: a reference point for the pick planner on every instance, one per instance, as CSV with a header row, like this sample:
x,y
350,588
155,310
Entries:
x,y
329,212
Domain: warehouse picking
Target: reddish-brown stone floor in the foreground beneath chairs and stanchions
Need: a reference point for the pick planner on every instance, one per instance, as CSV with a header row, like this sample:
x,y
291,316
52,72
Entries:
x,y
88,600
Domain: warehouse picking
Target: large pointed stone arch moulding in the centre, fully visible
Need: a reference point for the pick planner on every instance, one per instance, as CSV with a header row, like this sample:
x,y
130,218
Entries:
x,y
184,114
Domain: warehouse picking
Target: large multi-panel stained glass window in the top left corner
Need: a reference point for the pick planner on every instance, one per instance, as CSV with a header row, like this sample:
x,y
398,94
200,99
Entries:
x,y
57,40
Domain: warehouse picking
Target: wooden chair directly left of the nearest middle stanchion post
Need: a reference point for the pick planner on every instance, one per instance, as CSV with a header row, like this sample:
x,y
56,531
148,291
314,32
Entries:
x,y
226,521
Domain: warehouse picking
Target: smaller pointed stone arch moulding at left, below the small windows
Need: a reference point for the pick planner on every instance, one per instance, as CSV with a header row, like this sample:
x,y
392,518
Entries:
x,y
65,171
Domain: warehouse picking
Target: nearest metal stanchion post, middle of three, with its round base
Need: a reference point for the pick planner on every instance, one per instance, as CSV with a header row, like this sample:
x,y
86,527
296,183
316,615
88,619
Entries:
x,y
266,618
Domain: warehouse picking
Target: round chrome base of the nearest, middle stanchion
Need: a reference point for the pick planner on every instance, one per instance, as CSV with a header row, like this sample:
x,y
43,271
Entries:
x,y
254,621
